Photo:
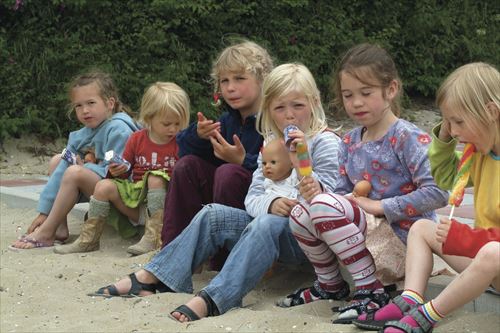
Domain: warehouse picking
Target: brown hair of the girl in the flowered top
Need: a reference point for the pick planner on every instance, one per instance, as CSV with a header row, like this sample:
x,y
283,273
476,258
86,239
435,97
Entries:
x,y
371,65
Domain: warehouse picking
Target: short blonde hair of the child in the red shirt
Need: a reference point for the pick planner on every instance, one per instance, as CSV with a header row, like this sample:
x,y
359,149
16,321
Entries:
x,y
162,98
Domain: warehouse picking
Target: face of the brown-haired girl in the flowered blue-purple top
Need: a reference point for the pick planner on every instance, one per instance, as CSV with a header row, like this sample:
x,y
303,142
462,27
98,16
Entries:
x,y
363,103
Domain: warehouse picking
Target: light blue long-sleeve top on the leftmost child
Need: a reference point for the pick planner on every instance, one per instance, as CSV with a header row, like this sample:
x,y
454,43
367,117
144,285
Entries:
x,y
112,134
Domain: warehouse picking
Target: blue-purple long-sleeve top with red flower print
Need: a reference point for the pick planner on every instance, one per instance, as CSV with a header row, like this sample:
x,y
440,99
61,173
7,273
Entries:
x,y
399,171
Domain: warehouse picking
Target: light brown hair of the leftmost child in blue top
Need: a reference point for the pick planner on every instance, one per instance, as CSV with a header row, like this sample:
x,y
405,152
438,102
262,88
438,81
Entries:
x,y
106,87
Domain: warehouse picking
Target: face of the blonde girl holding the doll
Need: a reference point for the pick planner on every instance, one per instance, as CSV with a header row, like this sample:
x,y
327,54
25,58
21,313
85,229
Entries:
x,y
291,109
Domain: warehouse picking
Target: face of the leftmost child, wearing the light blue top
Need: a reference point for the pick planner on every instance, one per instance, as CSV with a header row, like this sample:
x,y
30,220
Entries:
x,y
91,110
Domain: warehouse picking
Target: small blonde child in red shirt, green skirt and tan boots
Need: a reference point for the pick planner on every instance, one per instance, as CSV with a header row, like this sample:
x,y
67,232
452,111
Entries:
x,y
152,153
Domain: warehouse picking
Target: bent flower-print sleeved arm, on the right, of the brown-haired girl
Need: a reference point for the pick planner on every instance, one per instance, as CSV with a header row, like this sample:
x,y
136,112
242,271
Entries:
x,y
420,194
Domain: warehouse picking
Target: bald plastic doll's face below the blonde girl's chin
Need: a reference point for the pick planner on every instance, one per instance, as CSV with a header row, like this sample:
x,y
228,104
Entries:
x,y
276,164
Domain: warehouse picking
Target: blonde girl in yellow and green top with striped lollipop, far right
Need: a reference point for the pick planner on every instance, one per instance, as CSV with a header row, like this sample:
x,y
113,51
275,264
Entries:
x,y
469,100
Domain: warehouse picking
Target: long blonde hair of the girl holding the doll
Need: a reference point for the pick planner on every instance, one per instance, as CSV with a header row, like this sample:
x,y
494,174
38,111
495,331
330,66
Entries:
x,y
285,79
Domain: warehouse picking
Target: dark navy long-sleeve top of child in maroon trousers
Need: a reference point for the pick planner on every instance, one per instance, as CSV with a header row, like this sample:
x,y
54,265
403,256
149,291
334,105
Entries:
x,y
231,123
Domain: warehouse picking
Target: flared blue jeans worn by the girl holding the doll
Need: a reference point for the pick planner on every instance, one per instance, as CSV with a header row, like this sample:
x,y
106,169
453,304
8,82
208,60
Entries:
x,y
254,248
